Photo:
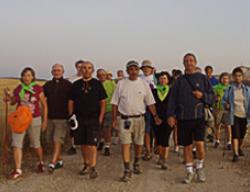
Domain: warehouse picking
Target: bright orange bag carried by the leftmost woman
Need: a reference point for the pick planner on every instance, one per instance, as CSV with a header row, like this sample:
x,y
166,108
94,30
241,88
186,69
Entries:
x,y
21,119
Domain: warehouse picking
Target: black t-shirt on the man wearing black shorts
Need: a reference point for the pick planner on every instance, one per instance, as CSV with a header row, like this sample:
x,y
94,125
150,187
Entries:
x,y
87,97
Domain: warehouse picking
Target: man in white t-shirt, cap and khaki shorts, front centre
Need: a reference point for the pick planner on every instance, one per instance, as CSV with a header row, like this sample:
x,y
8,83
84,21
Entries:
x,y
130,99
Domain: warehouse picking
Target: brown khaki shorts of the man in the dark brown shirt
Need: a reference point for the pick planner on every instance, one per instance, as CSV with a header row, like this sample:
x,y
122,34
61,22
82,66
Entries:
x,y
56,131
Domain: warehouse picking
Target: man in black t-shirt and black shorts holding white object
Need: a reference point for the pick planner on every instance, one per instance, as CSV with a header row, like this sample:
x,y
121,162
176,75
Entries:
x,y
87,102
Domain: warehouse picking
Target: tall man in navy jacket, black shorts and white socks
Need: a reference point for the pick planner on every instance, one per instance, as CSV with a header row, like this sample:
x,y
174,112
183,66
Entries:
x,y
190,93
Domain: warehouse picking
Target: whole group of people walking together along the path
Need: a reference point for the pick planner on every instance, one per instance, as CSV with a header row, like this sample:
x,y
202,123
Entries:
x,y
142,110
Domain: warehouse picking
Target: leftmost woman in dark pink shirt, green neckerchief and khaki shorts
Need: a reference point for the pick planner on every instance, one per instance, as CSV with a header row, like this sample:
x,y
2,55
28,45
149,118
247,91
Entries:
x,y
29,94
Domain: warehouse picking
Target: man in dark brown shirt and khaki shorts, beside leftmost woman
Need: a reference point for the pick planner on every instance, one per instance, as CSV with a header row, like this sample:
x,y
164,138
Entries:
x,y
57,93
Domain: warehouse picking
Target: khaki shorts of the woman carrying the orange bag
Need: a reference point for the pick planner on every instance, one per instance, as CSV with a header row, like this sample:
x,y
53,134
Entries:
x,y
34,133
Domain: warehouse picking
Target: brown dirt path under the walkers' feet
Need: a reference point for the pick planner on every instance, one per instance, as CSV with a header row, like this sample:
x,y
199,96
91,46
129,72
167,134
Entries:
x,y
220,176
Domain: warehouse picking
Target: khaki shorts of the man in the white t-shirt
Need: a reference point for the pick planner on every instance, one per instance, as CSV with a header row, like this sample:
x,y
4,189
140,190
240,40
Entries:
x,y
135,133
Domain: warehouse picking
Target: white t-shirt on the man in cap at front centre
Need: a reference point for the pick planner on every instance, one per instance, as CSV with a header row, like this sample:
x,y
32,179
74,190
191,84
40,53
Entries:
x,y
132,97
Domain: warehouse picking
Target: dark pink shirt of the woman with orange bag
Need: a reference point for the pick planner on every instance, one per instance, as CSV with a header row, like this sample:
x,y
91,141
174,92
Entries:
x,y
31,100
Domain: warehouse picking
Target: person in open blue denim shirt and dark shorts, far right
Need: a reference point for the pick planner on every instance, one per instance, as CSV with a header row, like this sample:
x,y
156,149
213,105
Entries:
x,y
237,101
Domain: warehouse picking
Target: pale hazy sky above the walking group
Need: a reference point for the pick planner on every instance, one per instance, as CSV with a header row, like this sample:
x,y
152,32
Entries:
x,y
40,33
